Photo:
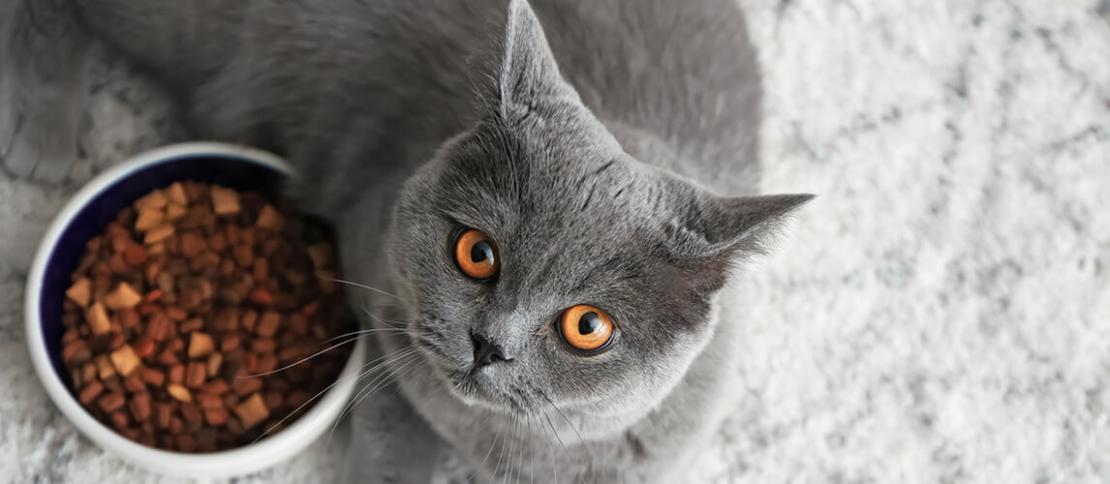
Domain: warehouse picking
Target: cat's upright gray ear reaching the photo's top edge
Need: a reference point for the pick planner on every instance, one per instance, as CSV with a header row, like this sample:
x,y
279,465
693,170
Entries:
x,y
530,77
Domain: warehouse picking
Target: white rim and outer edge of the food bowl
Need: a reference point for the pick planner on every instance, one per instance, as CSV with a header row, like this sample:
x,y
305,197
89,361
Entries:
x,y
248,459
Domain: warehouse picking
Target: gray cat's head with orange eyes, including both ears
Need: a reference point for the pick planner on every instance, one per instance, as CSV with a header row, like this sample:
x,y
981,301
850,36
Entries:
x,y
548,268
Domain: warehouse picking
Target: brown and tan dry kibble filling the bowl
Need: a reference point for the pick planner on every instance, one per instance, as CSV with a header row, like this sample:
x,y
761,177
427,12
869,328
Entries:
x,y
180,314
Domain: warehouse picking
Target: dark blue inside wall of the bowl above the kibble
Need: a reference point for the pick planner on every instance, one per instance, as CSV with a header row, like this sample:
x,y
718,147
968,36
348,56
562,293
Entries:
x,y
92,221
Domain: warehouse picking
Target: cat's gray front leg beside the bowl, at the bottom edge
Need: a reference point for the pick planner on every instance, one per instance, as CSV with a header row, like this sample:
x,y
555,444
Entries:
x,y
390,443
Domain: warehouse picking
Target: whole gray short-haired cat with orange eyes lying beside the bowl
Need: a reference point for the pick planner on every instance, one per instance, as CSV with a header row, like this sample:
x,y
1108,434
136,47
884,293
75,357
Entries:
x,y
544,224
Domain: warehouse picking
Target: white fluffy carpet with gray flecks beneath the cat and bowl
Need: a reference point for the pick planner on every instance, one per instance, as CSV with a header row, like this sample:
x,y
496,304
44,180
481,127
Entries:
x,y
941,315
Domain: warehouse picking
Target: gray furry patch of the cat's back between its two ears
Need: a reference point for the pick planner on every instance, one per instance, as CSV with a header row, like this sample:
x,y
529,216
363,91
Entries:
x,y
684,73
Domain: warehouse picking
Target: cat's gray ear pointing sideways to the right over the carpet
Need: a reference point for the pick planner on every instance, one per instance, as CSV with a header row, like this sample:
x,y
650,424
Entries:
x,y
711,234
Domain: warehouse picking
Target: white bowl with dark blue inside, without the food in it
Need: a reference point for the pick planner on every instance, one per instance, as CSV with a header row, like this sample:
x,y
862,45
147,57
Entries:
x,y
85,217
